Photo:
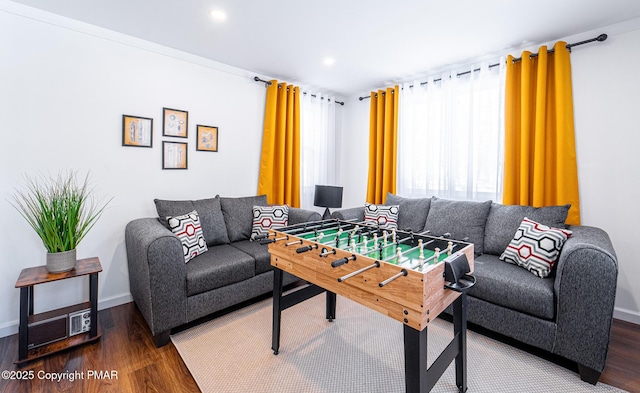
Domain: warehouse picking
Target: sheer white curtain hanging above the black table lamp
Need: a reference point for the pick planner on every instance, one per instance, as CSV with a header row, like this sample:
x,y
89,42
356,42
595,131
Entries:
x,y
317,144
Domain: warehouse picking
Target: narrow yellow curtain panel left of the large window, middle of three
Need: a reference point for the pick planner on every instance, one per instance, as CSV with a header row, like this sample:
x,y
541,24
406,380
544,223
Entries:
x,y
383,144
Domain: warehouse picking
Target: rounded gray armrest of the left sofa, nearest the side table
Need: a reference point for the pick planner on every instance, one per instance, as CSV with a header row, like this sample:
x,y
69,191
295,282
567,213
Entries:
x,y
157,274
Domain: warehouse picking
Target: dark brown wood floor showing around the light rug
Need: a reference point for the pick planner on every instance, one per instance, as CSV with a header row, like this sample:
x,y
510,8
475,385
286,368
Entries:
x,y
126,347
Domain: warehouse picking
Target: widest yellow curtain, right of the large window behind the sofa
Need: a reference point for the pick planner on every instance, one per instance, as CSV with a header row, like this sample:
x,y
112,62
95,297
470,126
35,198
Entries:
x,y
540,167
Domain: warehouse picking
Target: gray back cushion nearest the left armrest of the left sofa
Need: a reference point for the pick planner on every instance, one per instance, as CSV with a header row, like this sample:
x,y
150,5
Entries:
x,y
211,219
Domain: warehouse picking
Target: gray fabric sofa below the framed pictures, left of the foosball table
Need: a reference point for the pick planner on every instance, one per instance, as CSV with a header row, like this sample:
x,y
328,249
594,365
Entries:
x,y
170,292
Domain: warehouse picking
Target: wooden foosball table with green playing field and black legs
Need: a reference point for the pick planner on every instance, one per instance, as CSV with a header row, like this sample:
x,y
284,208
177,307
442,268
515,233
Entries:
x,y
409,277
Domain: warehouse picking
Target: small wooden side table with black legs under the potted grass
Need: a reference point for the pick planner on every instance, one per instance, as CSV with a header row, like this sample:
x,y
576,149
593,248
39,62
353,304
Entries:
x,y
29,321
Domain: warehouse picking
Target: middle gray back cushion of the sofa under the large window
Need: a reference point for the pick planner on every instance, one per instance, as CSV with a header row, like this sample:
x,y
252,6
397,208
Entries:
x,y
459,218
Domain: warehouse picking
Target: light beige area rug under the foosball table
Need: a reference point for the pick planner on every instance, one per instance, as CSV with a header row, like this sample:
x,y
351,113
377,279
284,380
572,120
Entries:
x,y
361,351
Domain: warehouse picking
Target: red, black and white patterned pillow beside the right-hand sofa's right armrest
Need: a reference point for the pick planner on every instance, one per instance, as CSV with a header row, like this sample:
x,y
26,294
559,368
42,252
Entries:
x,y
535,247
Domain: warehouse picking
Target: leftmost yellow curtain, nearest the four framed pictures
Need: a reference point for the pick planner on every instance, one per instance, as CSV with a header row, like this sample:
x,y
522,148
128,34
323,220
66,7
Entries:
x,y
280,160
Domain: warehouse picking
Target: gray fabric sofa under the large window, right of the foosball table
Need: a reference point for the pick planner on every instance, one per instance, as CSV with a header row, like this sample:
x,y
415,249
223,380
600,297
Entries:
x,y
568,313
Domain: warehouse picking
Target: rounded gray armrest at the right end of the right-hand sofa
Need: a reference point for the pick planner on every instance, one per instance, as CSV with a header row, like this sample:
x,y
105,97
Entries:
x,y
585,288
